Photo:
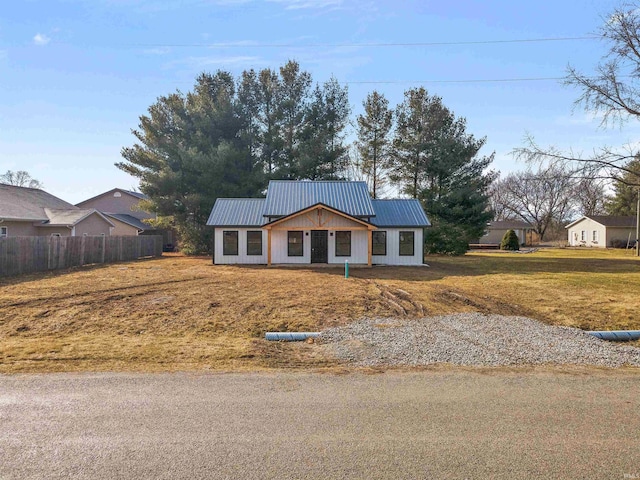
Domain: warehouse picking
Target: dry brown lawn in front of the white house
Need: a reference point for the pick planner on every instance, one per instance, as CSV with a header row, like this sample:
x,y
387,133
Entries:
x,y
178,313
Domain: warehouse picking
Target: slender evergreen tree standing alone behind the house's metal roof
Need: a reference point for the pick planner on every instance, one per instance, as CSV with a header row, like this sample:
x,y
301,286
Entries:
x,y
374,127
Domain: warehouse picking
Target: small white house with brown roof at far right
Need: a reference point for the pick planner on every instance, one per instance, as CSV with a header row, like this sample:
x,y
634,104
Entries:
x,y
602,231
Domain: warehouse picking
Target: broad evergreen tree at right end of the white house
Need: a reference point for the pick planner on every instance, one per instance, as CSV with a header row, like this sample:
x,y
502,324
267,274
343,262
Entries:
x,y
435,160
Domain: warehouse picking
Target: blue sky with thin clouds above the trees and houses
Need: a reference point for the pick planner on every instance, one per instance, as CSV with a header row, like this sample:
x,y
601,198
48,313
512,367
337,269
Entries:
x,y
75,75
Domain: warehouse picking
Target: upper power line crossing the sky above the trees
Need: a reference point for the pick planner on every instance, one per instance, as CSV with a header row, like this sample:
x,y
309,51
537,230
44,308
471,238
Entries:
x,y
354,45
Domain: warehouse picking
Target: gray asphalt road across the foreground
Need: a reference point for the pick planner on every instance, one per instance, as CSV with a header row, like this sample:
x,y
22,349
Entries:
x,y
434,424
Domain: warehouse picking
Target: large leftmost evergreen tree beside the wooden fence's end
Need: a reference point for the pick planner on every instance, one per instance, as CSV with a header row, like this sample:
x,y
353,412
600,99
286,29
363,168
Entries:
x,y
189,152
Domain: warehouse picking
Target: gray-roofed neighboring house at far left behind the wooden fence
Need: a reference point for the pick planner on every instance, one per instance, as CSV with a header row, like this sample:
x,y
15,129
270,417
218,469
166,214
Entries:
x,y
34,212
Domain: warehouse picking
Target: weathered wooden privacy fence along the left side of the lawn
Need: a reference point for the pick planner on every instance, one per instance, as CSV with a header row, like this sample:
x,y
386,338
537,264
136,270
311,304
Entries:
x,y
20,255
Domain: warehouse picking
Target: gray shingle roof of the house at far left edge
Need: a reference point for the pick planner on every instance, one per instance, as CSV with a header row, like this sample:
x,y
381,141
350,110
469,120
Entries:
x,y
21,203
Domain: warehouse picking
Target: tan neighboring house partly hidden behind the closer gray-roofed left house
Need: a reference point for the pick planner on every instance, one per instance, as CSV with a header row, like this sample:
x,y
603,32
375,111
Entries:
x,y
122,207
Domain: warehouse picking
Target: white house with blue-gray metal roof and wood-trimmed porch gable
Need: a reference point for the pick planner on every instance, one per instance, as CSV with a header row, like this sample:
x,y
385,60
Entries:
x,y
304,222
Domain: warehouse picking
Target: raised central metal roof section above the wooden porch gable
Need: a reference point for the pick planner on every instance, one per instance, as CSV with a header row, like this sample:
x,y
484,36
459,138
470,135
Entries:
x,y
288,196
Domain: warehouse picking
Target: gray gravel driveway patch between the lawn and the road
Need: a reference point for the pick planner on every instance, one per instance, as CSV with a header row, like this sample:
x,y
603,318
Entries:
x,y
471,339
